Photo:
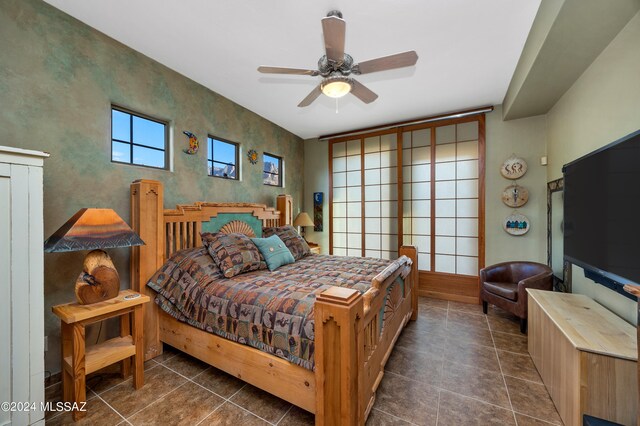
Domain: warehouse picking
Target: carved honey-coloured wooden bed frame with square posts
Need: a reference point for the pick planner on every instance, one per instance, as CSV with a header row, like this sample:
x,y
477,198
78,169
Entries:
x,y
350,352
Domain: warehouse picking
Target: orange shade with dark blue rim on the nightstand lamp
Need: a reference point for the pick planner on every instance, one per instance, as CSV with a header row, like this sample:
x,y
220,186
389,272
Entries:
x,y
91,229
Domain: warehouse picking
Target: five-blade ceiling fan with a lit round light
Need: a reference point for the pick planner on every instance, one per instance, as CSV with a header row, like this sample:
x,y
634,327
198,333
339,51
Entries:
x,y
337,66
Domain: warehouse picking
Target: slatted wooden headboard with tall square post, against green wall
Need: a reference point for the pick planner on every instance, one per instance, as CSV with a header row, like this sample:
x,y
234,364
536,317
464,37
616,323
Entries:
x,y
166,231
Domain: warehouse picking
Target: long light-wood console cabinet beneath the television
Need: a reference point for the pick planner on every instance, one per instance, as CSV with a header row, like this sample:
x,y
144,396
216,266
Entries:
x,y
586,355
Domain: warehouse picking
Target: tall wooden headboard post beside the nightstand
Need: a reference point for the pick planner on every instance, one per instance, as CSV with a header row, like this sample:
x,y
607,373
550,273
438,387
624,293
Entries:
x,y
147,220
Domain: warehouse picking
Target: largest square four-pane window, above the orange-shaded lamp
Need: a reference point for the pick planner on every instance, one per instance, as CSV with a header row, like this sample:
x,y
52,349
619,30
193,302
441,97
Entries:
x,y
138,139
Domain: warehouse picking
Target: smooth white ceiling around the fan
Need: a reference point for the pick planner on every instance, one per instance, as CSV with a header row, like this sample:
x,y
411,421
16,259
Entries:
x,y
468,50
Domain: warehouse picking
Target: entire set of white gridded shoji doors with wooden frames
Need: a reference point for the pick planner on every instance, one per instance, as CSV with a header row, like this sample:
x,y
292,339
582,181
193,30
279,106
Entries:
x,y
431,196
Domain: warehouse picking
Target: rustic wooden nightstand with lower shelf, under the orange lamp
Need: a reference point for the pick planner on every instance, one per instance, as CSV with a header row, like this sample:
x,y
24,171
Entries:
x,y
77,360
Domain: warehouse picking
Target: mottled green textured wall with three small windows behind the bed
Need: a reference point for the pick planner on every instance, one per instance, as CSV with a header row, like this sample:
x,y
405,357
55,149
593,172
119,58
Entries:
x,y
58,78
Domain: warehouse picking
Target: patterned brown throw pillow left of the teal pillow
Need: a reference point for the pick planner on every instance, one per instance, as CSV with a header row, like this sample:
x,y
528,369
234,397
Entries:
x,y
233,253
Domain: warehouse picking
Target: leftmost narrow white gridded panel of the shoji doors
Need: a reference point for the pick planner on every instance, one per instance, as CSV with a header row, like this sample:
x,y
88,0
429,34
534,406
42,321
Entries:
x,y
346,195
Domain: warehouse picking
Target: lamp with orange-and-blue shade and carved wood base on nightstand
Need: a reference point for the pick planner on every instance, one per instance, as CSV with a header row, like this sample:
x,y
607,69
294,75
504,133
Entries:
x,y
94,229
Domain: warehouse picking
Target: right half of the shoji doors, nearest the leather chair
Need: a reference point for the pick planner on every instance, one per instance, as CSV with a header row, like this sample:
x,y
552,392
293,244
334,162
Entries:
x,y
443,169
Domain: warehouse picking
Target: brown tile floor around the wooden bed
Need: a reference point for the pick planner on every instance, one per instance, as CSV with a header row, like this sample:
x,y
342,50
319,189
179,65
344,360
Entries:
x,y
454,366
